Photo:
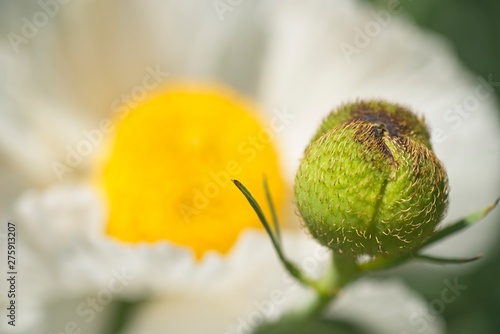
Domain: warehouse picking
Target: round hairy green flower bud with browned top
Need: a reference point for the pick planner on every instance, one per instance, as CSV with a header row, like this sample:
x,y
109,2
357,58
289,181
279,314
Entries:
x,y
369,182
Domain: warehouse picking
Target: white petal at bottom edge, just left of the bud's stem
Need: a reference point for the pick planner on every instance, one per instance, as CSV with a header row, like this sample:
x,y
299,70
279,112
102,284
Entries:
x,y
243,299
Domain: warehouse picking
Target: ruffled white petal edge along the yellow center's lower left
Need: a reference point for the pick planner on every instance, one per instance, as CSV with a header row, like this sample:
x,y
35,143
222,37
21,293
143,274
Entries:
x,y
64,225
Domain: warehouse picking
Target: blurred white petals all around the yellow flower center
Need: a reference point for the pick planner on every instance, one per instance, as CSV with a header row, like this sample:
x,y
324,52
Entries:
x,y
283,54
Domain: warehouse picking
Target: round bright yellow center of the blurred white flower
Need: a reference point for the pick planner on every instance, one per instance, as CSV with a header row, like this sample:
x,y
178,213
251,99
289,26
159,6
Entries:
x,y
171,162
